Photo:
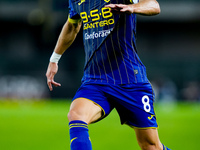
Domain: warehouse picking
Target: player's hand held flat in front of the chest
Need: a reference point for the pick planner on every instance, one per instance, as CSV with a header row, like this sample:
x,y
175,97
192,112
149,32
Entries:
x,y
121,8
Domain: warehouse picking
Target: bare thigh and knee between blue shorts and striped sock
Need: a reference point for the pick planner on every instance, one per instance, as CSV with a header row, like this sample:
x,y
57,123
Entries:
x,y
85,110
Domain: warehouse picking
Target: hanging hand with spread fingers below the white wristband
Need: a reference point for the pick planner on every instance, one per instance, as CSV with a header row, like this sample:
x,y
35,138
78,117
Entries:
x,y
51,71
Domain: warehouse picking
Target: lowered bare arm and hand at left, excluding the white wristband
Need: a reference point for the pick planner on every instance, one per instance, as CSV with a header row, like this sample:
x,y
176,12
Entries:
x,y
66,38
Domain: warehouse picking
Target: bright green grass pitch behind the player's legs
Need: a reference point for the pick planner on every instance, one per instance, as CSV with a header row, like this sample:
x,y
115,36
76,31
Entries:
x,y
43,126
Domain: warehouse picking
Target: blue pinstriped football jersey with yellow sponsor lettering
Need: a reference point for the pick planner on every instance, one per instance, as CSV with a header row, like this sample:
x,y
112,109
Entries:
x,y
109,42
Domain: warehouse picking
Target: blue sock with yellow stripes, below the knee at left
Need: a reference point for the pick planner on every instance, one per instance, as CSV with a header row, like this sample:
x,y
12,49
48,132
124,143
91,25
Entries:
x,y
79,136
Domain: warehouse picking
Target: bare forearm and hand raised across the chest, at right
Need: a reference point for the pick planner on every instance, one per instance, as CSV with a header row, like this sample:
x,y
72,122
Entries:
x,y
143,7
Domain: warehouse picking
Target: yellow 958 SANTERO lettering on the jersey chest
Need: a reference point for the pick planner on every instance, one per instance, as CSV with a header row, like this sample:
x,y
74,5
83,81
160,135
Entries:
x,y
95,16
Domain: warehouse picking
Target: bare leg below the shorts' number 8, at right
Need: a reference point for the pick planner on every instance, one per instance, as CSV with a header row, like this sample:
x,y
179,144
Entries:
x,y
148,137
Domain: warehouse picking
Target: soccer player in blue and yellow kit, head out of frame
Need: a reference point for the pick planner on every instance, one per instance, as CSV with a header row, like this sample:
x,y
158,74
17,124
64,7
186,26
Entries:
x,y
114,76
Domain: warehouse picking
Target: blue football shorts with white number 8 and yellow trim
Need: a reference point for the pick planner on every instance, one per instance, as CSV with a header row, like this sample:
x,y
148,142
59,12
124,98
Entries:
x,y
133,102
